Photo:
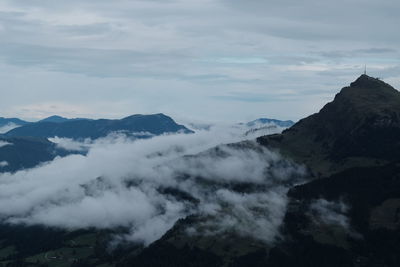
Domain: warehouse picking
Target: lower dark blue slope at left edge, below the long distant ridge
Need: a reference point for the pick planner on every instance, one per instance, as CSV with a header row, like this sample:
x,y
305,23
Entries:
x,y
18,153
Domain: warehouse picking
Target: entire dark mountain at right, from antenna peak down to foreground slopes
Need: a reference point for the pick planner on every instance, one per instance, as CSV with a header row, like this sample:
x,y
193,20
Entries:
x,y
352,146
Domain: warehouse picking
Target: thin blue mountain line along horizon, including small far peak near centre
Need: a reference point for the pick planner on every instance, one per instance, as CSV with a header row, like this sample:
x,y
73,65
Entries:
x,y
89,128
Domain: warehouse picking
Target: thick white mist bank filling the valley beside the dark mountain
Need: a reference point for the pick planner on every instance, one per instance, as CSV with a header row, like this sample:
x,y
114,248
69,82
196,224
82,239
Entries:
x,y
145,186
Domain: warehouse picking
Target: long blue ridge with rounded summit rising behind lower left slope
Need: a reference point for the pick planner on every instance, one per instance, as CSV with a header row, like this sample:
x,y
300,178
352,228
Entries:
x,y
140,126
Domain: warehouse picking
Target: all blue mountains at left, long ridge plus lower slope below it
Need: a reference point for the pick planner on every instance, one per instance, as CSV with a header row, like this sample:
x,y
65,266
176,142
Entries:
x,y
26,146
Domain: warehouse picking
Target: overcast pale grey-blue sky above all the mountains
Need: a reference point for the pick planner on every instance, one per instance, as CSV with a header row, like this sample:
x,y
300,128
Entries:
x,y
220,60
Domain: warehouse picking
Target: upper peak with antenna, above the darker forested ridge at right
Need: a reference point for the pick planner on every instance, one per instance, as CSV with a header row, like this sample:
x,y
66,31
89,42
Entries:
x,y
360,127
